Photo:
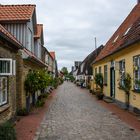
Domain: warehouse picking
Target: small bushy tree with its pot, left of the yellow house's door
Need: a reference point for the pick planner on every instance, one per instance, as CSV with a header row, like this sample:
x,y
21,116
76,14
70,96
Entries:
x,y
99,82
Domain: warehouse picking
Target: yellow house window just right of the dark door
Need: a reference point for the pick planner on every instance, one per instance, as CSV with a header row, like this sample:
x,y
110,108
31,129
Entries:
x,y
122,72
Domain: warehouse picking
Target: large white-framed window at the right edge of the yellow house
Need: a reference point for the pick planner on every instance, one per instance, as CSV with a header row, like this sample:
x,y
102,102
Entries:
x,y
137,72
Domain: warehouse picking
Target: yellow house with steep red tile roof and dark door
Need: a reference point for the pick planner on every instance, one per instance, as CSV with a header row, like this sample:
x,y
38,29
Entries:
x,y
121,55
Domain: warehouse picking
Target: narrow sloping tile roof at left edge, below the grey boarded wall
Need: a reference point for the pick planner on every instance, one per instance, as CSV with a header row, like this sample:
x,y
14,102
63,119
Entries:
x,y
8,35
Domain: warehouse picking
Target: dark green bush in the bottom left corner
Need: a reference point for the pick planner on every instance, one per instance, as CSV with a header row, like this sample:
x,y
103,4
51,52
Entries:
x,y
7,131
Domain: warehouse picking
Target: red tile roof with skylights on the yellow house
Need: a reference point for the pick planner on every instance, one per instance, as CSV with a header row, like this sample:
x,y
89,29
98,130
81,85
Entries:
x,y
119,38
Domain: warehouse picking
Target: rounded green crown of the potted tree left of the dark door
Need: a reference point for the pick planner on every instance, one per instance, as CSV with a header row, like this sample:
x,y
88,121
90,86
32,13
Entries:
x,y
99,80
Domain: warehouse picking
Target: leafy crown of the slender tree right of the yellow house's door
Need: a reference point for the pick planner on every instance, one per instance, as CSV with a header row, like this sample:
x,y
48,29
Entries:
x,y
127,83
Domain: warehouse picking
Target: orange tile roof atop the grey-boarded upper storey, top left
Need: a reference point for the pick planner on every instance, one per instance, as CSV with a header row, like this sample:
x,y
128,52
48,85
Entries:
x,y
16,12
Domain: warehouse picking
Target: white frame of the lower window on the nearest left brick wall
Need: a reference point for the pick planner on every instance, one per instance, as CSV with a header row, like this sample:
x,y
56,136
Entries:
x,y
1,92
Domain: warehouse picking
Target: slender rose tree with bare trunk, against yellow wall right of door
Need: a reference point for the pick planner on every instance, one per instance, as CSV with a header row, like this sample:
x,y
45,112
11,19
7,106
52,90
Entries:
x,y
127,87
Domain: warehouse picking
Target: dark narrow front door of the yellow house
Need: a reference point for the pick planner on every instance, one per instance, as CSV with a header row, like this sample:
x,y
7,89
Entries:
x,y
112,82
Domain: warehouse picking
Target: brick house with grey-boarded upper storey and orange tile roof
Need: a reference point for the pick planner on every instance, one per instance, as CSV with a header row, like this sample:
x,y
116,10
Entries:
x,y
21,22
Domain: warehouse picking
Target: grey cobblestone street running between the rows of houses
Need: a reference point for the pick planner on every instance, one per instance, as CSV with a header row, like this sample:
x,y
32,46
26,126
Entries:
x,y
75,115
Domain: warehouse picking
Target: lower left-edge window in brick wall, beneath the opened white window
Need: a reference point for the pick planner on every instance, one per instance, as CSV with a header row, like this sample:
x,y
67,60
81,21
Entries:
x,y
3,90
